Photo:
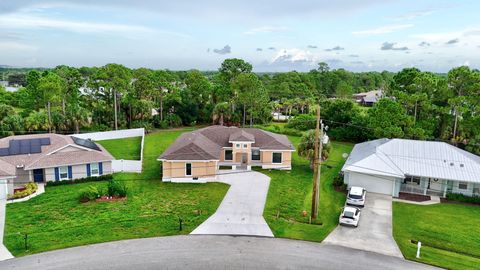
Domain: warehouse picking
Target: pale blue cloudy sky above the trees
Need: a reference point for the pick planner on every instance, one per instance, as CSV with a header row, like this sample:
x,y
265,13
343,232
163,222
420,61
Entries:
x,y
364,35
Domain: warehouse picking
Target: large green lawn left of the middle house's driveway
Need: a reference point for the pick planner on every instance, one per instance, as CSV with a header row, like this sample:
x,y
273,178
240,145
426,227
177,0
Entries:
x,y
57,220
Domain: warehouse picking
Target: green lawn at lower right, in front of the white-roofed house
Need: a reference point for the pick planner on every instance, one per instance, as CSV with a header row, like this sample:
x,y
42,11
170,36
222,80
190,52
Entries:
x,y
450,233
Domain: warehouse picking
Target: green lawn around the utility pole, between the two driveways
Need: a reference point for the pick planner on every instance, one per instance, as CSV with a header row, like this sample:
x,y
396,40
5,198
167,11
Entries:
x,y
290,194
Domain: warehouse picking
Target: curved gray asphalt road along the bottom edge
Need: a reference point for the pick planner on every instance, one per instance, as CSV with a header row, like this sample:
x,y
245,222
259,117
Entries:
x,y
210,252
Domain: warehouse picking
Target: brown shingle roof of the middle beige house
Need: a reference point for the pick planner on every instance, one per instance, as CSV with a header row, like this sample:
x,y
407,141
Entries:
x,y
207,143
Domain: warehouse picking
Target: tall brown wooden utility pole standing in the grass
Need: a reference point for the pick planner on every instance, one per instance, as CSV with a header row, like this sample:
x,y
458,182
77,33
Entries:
x,y
316,168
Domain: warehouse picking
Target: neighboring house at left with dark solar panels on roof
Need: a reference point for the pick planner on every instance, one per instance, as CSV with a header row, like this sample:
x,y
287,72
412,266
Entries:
x,y
49,157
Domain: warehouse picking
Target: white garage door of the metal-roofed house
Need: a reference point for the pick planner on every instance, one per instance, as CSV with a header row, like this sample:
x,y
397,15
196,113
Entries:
x,y
371,183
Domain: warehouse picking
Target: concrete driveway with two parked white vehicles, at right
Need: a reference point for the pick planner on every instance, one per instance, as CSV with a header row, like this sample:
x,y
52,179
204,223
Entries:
x,y
374,232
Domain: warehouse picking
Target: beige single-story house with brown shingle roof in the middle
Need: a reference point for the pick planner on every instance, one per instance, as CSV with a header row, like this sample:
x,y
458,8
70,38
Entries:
x,y
198,155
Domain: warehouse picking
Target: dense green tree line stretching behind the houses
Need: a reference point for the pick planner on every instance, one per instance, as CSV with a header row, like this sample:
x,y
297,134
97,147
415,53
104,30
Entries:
x,y
420,105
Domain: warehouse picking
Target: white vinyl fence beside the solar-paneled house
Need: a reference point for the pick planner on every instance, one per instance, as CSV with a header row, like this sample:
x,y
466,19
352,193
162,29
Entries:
x,y
119,165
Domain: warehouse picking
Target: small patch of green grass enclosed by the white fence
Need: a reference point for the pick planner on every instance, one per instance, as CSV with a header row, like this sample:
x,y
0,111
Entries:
x,y
127,148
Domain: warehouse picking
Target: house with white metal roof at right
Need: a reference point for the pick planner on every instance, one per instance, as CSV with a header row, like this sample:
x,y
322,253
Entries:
x,y
390,166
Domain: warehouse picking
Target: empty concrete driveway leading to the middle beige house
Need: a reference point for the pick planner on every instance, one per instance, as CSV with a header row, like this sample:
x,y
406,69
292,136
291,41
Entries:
x,y
241,211
